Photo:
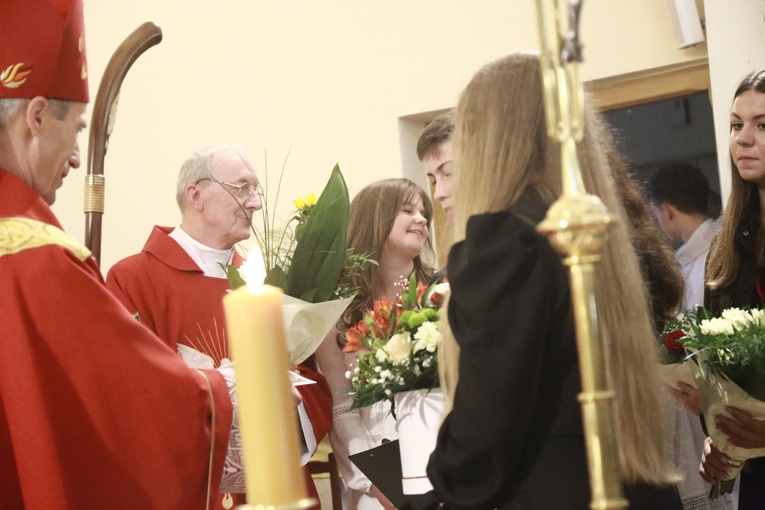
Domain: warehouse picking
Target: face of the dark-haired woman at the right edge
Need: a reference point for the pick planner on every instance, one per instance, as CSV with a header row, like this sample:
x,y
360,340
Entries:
x,y
747,136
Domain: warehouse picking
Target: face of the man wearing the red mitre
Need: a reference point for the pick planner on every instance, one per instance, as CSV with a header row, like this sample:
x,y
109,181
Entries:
x,y
53,149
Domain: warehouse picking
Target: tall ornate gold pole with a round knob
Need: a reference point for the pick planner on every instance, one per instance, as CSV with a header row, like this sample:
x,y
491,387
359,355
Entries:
x,y
576,225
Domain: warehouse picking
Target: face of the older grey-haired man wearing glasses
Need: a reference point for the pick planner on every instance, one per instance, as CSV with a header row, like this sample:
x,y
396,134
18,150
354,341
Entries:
x,y
229,203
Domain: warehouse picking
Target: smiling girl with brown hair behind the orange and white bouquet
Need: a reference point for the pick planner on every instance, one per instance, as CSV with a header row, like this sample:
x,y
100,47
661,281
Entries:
x,y
390,223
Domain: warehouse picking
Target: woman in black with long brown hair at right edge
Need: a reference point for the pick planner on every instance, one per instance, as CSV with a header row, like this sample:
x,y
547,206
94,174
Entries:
x,y
735,275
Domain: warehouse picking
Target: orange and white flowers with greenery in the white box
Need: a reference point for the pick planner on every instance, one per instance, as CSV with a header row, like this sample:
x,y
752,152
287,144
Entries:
x,y
400,343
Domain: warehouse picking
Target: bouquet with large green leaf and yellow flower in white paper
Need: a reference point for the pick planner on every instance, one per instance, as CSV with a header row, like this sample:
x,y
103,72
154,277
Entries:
x,y
309,259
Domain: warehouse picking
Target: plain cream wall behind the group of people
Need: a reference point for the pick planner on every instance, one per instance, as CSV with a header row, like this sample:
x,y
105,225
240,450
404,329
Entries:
x,y
333,81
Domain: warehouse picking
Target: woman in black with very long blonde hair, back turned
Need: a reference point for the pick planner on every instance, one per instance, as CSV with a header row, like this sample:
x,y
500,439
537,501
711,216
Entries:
x,y
513,437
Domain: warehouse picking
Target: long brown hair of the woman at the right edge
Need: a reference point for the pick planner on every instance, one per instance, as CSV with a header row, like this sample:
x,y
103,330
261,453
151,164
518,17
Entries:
x,y
723,263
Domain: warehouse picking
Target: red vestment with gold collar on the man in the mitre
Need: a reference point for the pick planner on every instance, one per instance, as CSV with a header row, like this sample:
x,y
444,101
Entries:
x,y
95,410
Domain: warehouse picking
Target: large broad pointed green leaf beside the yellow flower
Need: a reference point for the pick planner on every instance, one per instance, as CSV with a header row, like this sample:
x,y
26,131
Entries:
x,y
320,252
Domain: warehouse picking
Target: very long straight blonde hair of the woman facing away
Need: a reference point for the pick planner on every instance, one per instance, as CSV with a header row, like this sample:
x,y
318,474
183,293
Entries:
x,y
501,149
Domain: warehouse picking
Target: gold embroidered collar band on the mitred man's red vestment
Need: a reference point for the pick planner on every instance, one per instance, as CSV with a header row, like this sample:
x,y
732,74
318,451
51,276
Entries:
x,y
19,234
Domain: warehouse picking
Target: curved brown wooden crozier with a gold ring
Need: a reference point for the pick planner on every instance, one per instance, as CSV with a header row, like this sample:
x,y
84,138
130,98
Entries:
x,y
102,124
